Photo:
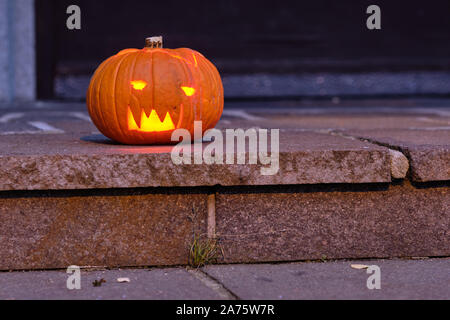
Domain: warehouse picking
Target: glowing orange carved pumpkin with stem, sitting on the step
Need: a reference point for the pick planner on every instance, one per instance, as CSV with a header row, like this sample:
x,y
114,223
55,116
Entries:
x,y
142,96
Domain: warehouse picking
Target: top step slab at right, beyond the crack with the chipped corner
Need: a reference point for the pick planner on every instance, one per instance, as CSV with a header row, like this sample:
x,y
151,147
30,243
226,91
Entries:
x,y
422,134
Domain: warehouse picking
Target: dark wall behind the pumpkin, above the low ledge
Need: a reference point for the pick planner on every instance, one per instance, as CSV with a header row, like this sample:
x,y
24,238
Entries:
x,y
250,36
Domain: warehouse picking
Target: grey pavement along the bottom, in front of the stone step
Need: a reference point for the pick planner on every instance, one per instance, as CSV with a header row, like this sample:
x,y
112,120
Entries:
x,y
399,279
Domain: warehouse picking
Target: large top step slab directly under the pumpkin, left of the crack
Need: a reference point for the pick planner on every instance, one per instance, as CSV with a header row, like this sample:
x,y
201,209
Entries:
x,y
59,149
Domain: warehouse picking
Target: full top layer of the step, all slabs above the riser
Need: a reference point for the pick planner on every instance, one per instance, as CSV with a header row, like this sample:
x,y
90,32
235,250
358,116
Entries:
x,y
80,158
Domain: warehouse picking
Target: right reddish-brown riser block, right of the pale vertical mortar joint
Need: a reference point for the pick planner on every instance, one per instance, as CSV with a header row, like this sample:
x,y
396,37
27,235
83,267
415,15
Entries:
x,y
301,223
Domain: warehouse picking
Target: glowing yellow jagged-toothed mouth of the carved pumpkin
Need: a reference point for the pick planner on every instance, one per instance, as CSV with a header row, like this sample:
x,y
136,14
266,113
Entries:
x,y
152,123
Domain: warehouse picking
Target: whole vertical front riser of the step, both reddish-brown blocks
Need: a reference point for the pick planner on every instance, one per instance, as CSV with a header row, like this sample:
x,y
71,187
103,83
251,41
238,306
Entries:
x,y
154,227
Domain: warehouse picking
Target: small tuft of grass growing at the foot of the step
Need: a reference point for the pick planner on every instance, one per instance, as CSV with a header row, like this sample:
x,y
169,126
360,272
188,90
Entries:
x,y
203,252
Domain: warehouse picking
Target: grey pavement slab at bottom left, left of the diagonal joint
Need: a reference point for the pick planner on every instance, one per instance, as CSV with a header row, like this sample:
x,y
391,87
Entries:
x,y
145,284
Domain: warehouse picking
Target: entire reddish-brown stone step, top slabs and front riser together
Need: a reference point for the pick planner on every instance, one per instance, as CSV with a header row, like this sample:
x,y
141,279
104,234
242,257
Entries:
x,y
343,190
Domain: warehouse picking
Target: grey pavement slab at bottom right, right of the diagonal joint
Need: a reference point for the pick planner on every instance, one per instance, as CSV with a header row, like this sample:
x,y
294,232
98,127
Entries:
x,y
400,279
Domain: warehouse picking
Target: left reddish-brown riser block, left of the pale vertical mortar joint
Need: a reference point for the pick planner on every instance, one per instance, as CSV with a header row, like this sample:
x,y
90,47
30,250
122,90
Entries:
x,y
120,229
